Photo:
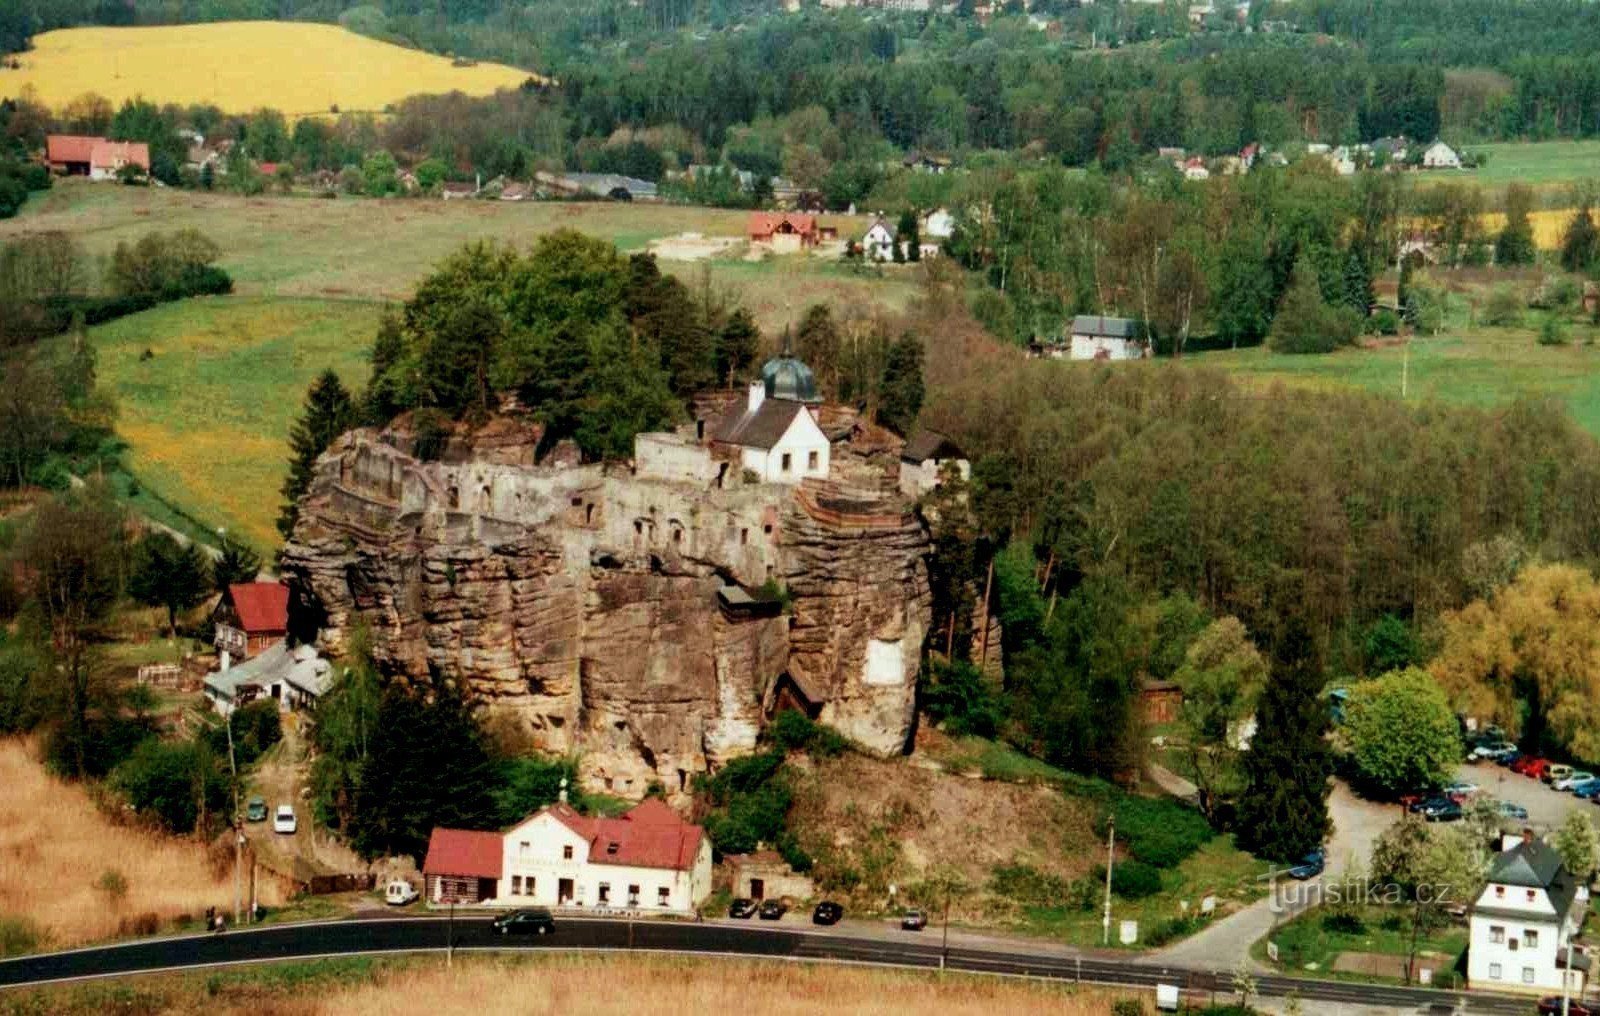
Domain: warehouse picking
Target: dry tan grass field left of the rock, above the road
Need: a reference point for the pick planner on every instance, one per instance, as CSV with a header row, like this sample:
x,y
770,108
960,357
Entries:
x,y
57,846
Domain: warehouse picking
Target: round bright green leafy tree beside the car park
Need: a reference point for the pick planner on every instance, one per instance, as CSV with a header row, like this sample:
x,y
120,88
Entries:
x,y
1402,732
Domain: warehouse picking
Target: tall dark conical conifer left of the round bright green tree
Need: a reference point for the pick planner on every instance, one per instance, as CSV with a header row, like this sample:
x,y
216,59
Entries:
x,y
1284,809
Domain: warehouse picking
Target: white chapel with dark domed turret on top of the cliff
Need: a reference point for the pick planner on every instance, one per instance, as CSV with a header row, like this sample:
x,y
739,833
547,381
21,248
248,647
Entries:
x,y
775,434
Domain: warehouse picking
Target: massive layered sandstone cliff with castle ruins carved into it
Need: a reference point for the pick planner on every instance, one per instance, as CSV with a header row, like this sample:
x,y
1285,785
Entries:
x,y
602,612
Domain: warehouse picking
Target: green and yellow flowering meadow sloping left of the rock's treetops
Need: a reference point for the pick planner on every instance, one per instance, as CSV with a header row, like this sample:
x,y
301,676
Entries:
x,y
207,417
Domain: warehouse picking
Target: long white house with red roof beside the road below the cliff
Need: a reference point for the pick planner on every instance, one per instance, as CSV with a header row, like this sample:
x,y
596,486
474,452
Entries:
x,y
647,860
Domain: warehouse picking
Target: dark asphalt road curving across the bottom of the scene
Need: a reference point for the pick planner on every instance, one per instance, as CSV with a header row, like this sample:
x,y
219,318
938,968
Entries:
x,y
754,940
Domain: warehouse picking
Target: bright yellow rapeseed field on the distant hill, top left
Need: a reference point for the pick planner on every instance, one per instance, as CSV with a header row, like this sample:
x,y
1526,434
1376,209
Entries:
x,y
297,68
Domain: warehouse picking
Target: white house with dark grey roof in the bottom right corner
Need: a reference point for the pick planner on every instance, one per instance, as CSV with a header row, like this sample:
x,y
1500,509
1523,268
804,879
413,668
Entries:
x,y
1522,922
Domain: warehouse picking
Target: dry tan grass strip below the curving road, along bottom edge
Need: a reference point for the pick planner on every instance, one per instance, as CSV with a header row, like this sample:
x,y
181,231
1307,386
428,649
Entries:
x,y
578,985
